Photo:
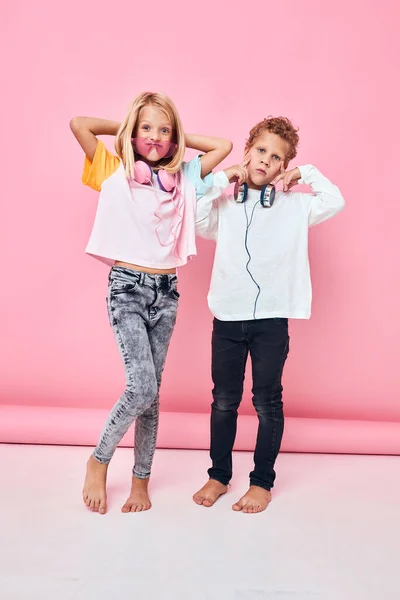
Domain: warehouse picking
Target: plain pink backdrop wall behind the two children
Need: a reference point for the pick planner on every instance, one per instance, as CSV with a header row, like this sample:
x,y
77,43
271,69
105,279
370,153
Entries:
x,y
331,68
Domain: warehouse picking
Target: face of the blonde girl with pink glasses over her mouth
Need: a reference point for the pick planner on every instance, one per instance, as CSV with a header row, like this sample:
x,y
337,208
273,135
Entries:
x,y
153,135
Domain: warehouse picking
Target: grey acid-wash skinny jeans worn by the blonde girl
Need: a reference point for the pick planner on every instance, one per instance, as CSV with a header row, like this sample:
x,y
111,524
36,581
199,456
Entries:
x,y
142,312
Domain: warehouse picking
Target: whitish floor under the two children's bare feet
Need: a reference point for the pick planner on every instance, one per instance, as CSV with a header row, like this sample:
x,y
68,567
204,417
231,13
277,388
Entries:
x,y
331,532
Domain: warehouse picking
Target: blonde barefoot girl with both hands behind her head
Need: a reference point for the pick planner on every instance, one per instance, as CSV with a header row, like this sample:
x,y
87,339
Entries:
x,y
145,229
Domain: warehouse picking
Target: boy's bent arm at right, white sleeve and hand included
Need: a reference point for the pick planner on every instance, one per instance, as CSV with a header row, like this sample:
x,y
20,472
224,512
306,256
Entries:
x,y
326,201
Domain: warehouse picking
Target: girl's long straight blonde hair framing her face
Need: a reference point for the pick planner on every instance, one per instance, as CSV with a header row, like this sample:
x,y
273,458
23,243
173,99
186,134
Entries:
x,y
123,144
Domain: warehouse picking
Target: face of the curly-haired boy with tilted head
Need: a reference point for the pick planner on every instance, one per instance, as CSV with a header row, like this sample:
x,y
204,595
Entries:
x,y
267,158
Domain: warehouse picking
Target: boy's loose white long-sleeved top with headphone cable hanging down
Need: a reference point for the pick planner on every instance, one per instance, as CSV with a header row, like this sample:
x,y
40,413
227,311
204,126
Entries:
x,y
261,268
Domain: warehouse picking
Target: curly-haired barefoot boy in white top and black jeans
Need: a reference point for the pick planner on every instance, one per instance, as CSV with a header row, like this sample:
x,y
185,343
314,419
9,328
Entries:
x,y
260,279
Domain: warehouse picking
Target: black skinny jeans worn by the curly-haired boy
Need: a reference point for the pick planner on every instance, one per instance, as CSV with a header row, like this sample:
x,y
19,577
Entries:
x,y
267,341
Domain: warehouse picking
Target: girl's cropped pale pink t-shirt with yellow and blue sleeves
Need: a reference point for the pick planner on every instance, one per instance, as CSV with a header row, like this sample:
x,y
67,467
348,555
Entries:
x,y
142,224
